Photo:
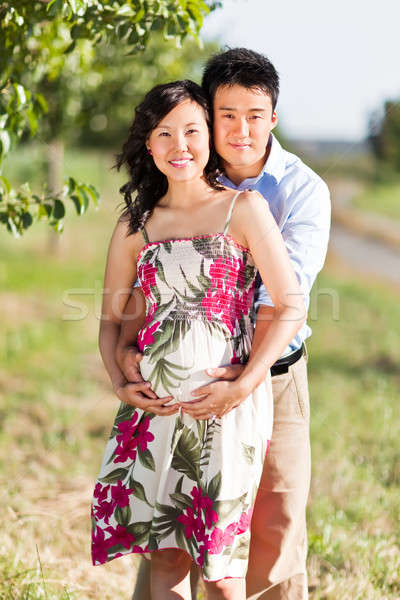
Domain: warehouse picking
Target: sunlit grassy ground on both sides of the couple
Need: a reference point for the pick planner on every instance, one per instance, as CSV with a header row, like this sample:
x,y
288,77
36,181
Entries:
x,y
56,411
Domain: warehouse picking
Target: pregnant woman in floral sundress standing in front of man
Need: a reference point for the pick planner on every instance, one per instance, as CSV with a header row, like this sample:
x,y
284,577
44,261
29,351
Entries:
x,y
176,484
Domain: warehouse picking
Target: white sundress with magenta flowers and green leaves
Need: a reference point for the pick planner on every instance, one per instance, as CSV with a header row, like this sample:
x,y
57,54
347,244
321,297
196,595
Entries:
x,y
173,481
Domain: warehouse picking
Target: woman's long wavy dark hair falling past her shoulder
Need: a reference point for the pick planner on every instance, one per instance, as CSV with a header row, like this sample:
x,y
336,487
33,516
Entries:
x,y
145,178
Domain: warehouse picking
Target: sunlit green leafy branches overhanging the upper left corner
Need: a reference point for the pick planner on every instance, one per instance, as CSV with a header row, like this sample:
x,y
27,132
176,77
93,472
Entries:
x,y
38,40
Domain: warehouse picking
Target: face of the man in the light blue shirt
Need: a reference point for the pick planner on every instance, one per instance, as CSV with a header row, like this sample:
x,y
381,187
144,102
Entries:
x,y
243,120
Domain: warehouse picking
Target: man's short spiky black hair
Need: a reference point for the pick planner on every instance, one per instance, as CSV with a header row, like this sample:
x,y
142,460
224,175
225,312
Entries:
x,y
241,66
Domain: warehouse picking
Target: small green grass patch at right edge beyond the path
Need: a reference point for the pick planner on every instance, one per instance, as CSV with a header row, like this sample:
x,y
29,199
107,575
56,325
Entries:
x,y
382,198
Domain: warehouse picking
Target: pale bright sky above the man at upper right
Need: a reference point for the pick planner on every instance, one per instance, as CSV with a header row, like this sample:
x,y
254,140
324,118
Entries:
x,y
338,60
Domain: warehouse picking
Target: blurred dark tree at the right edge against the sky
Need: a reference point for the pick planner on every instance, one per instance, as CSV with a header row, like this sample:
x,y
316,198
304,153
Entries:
x,y
384,135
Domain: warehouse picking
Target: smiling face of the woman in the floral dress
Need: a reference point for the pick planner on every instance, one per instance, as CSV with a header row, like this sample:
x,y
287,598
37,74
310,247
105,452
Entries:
x,y
180,143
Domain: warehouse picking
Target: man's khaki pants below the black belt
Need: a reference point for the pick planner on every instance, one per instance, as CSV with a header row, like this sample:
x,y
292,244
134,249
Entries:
x,y
278,548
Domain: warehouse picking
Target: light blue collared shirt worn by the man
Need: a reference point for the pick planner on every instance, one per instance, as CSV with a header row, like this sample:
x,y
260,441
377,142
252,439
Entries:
x,y
300,203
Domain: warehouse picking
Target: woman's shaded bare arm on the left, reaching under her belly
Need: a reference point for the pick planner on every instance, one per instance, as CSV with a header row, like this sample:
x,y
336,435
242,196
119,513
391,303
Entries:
x,y
119,274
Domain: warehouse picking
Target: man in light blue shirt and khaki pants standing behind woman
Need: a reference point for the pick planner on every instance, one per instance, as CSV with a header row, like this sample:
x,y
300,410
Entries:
x,y
243,88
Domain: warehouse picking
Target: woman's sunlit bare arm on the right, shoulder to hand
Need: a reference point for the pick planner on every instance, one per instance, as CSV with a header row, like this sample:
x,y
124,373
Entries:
x,y
253,220
